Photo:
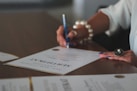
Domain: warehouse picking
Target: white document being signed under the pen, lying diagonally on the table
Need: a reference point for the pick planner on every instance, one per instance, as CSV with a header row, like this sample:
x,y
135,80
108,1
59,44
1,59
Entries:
x,y
57,60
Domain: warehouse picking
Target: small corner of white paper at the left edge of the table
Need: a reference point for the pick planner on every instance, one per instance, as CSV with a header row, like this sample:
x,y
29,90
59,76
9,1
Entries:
x,y
6,56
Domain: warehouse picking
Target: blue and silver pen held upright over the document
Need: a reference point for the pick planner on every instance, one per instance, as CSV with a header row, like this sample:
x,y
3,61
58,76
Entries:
x,y
66,31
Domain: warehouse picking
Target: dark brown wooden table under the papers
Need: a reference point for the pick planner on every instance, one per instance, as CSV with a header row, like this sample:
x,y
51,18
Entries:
x,y
25,33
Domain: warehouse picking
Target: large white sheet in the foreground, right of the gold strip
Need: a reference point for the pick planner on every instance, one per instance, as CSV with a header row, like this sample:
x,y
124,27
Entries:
x,y
86,83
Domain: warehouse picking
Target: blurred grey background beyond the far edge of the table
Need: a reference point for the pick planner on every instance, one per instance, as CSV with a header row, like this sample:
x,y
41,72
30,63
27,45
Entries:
x,y
74,9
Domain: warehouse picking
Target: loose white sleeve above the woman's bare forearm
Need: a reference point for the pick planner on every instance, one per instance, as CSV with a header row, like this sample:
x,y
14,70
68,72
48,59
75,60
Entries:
x,y
119,15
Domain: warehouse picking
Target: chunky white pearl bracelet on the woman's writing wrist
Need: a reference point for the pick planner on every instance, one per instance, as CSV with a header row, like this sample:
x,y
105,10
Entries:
x,y
87,26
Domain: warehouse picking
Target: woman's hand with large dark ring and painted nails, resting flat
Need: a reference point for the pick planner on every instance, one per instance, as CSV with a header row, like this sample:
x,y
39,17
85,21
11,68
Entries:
x,y
128,56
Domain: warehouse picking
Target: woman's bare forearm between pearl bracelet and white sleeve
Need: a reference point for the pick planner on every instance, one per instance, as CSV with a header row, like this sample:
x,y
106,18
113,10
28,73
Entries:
x,y
99,22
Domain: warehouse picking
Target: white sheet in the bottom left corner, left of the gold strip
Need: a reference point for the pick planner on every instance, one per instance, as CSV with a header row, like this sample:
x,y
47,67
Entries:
x,y
22,84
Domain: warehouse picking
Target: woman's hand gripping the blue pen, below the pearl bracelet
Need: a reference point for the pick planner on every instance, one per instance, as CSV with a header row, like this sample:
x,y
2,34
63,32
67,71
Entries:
x,y
74,35
